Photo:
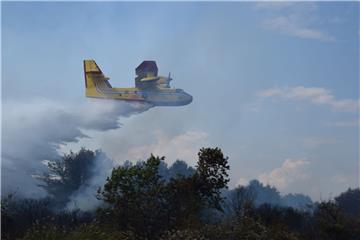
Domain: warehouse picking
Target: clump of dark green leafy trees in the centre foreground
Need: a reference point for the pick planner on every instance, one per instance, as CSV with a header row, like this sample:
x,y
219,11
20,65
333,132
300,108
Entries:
x,y
142,201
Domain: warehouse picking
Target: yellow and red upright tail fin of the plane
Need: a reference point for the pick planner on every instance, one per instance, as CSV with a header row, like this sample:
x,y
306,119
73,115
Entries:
x,y
93,73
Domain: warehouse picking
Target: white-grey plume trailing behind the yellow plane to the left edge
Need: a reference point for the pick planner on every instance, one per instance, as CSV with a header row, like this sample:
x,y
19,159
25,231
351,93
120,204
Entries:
x,y
33,131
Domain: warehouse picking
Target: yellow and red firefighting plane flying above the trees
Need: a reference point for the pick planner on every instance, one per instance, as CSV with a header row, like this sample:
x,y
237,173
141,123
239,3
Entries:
x,y
149,87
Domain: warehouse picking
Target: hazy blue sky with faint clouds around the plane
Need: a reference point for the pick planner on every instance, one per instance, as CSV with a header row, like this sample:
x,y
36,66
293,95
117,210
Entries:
x,y
275,85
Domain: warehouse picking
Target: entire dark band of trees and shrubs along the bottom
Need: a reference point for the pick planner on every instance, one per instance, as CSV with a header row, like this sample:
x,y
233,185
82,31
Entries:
x,y
149,200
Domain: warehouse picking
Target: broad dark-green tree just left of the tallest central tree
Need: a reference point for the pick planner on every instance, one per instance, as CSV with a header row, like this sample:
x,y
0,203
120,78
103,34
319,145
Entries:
x,y
136,196
